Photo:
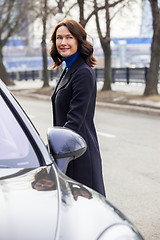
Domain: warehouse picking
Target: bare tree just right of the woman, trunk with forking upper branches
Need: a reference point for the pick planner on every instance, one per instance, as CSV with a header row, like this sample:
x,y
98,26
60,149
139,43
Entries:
x,y
104,30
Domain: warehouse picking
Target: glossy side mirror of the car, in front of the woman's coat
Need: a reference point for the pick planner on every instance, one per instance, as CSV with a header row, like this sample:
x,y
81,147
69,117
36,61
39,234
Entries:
x,y
65,145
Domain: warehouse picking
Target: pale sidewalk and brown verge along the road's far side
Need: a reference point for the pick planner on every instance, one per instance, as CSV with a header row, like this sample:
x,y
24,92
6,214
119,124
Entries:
x,y
123,96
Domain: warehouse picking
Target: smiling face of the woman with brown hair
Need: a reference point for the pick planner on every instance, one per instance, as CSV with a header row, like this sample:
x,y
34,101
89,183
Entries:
x,y
66,43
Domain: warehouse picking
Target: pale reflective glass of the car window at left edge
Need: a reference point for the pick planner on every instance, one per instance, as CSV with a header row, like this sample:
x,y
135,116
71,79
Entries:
x,y
15,148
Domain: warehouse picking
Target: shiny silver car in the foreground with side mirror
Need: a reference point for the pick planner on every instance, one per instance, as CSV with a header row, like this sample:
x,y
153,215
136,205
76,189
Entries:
x,y
38,201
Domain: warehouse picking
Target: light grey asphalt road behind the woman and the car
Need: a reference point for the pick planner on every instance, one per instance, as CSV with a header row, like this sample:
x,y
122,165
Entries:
x,y
129,144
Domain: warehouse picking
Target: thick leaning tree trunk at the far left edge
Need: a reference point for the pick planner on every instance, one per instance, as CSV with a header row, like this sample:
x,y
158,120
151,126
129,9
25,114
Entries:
x,y
3,73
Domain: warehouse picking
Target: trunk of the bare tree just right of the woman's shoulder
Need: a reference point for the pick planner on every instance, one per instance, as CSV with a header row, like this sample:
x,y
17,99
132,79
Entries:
x,y
107,67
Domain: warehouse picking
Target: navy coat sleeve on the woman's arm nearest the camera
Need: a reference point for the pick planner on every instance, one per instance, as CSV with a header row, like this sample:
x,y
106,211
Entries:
x,y
83,89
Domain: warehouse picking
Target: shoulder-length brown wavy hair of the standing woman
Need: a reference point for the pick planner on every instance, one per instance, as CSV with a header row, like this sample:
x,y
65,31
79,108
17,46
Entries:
x,y
85,48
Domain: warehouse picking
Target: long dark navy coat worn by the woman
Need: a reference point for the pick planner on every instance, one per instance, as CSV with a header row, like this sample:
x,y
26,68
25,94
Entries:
x,y
73,103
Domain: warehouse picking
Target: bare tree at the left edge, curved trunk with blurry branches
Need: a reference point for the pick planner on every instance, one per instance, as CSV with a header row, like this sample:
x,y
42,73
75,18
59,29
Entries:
x,y
13,18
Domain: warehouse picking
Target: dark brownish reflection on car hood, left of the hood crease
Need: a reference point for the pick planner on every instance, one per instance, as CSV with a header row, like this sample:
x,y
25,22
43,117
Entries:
x,y
44,181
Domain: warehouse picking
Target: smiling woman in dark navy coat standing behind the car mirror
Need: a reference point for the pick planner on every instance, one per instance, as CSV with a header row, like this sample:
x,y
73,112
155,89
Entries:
x,y
74,98
